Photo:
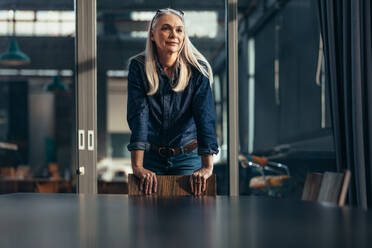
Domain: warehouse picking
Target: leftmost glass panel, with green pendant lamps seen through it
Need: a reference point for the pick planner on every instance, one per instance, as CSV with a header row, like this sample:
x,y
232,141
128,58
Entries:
x,y
37,99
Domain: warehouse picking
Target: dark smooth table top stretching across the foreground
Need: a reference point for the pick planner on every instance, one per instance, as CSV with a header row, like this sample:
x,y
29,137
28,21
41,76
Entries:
x,y
70,220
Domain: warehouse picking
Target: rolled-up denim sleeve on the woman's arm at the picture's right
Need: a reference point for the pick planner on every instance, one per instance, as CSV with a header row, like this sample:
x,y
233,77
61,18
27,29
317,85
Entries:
x,y
205,117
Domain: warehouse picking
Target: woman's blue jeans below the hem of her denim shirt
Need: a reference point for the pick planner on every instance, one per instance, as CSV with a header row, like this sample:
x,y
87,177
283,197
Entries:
x,y
181,164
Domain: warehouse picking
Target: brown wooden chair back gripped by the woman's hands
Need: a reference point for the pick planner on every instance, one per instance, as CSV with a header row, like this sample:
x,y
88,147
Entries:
x,y
172,186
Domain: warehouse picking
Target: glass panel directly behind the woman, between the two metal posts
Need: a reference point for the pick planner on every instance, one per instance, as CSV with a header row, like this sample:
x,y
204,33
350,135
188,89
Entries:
x,y
121,33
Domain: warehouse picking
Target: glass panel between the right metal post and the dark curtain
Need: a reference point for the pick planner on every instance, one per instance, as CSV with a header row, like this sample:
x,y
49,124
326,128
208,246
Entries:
x,y
284,117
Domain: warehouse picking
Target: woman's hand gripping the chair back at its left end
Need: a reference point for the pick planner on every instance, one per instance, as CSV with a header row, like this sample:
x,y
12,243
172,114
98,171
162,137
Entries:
x,y
148,182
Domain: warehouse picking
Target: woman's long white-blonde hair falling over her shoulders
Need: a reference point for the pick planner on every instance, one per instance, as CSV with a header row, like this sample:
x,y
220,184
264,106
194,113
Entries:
x,y
188,55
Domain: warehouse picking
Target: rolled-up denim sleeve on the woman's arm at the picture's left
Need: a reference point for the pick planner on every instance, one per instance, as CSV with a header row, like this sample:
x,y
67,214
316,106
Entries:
x,y
137,109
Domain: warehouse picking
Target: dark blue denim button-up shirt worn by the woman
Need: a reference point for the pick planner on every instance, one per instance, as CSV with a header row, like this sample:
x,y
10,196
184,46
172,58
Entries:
x,y
169,118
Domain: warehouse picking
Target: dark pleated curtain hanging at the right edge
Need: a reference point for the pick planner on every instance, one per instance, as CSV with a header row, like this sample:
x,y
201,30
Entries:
x,y
346,31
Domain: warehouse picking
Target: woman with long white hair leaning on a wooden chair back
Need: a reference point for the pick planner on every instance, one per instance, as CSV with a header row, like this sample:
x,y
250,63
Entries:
x,y
170,107
